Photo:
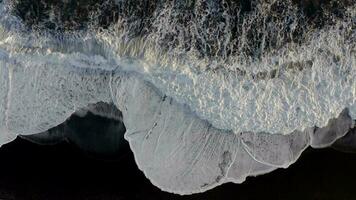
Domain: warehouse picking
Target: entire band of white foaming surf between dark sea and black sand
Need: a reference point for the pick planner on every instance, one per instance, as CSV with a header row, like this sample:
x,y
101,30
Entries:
x,y
201,106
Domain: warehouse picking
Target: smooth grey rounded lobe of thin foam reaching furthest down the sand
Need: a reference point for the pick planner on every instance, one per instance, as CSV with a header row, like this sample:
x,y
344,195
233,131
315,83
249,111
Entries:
x,y
168,139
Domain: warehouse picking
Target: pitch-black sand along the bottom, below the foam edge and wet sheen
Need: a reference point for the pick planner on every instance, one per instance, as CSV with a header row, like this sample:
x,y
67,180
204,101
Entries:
x,y
29,171
